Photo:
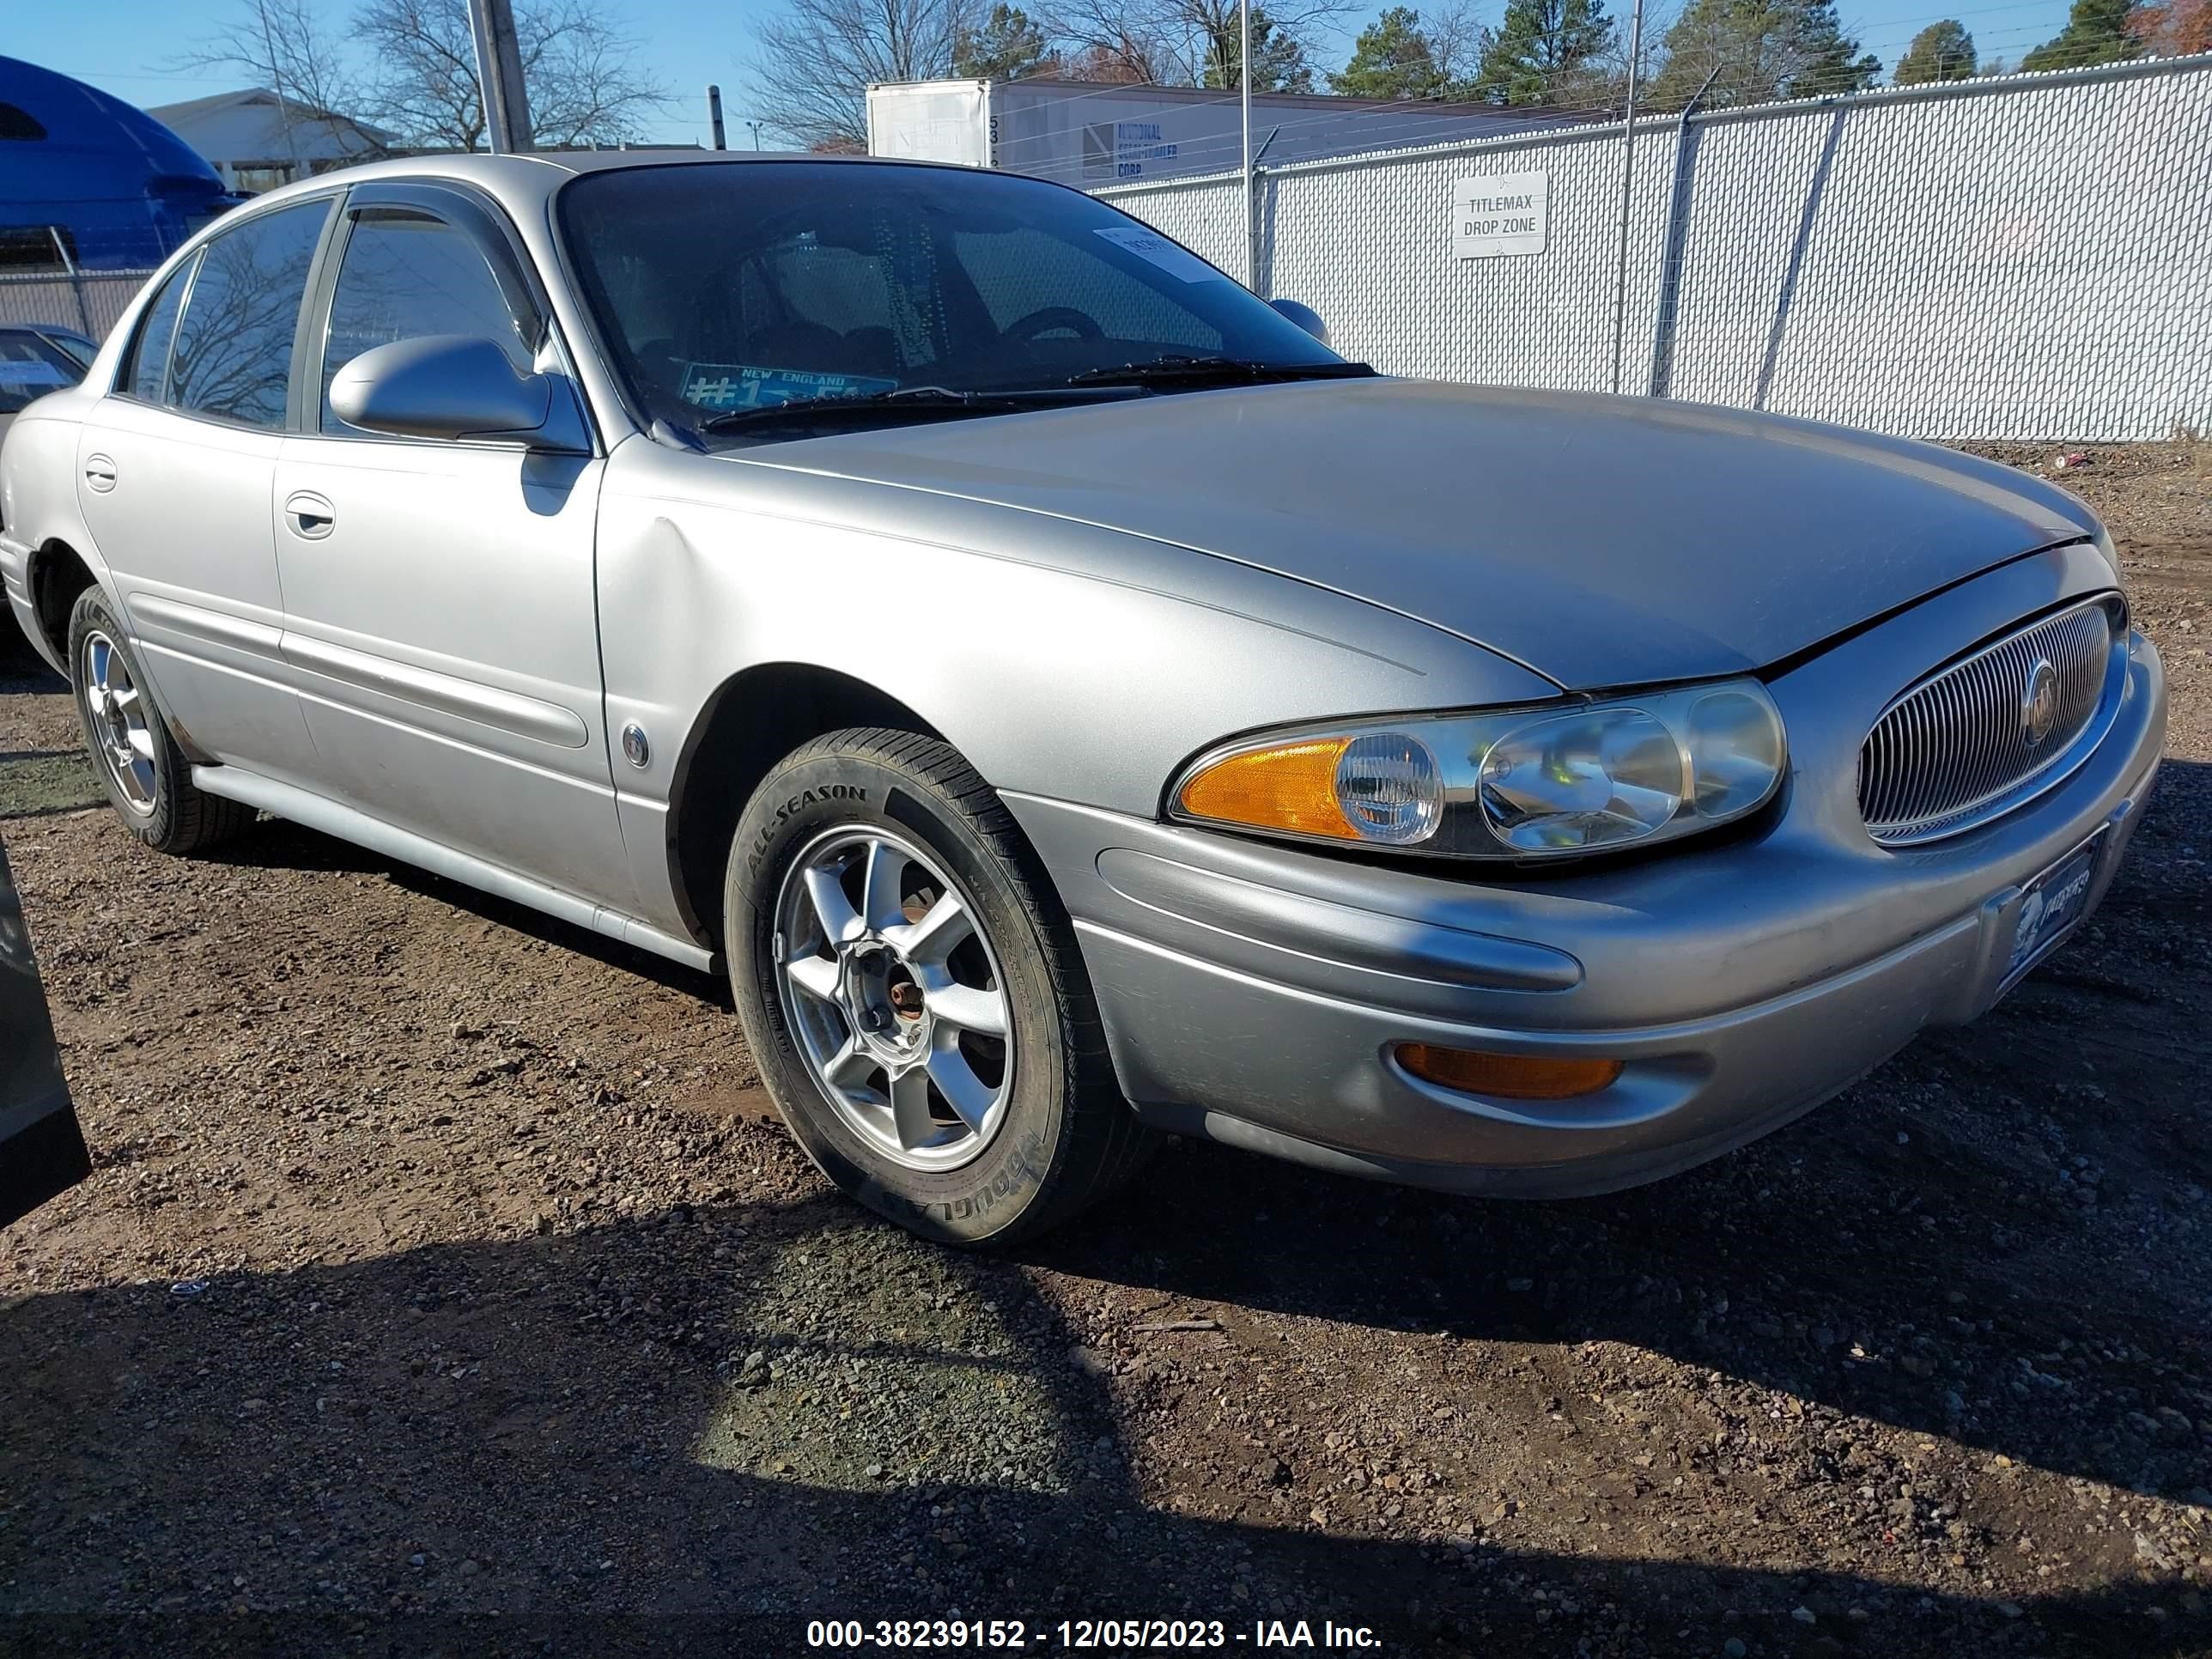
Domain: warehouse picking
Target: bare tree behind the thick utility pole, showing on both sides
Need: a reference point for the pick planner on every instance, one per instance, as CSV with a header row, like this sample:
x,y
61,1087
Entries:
x,y
581,72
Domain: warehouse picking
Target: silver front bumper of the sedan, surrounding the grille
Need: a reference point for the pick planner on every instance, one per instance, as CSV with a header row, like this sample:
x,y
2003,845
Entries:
x,y
1255,994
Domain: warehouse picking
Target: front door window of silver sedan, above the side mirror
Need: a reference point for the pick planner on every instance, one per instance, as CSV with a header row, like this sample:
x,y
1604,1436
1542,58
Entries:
x,y
408,273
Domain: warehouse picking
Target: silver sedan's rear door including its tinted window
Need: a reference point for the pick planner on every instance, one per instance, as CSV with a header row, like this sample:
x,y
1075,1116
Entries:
x,y
176,472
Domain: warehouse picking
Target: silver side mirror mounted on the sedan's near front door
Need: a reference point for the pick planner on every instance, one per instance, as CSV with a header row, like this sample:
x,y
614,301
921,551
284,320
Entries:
x,y
455,386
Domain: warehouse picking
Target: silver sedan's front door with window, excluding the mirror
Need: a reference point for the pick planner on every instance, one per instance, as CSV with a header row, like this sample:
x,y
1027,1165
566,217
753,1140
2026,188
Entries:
x,y
439,594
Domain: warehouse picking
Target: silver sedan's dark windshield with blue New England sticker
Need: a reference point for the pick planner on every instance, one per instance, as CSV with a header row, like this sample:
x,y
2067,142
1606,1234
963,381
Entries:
x,y
747,284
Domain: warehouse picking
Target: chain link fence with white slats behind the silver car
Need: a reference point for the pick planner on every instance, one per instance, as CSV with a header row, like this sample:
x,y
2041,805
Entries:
x,y
2023,258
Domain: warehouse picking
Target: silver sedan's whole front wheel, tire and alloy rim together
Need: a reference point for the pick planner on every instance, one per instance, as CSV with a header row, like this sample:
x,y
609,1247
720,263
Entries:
x,y
915,997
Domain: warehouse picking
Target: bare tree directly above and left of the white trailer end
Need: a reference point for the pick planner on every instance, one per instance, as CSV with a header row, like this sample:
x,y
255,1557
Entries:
x,y
815,61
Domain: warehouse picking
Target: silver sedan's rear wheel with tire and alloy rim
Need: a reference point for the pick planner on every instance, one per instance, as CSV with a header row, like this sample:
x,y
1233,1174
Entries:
x,y
138,762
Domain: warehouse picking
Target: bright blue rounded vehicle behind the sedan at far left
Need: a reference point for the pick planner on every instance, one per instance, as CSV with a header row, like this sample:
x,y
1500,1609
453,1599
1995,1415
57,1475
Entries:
x,y
92,178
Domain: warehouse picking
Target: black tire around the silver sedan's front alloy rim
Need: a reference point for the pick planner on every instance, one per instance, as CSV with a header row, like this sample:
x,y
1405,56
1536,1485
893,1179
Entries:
x,y
1067,1138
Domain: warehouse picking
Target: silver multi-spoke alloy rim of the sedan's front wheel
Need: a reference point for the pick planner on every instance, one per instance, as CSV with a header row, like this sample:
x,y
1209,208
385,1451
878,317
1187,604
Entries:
x,y
895,997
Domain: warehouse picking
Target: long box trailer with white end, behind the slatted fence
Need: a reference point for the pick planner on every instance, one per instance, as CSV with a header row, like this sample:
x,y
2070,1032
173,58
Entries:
x,y
1098,134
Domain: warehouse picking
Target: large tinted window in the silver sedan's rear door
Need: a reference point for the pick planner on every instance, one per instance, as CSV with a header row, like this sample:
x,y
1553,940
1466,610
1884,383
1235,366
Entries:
x,y
233,353
